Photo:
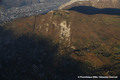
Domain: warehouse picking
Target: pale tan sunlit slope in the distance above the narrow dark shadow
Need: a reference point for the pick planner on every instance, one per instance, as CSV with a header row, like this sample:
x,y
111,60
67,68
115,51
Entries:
x,y
93,3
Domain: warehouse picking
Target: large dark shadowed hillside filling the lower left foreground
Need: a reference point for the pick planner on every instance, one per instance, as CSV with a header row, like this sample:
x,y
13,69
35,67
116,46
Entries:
x,y
31,57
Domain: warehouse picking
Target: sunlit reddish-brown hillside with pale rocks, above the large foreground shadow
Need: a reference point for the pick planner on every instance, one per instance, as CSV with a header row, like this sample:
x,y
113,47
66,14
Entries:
x,y
91,40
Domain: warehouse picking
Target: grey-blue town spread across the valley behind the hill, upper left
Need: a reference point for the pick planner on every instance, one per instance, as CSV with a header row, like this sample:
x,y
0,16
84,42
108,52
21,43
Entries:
x,y
25,11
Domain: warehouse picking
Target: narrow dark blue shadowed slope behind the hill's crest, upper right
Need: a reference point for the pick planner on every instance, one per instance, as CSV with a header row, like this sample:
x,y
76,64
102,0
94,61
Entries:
x,y
92,10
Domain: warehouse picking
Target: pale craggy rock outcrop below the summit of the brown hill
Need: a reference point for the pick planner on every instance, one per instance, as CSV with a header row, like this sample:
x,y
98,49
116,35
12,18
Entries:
x,y
58,29
